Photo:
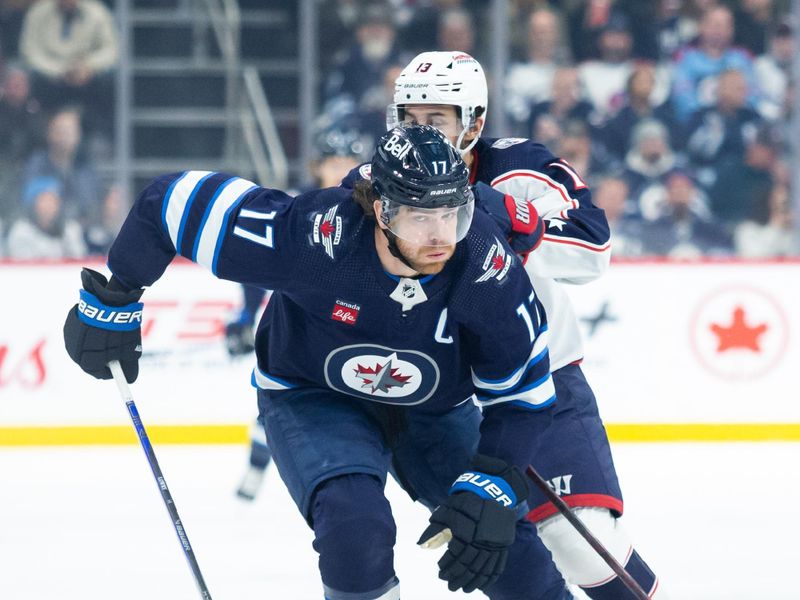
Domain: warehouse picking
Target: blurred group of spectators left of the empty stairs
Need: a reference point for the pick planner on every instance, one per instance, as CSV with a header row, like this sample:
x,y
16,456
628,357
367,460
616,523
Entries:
x,y
57,61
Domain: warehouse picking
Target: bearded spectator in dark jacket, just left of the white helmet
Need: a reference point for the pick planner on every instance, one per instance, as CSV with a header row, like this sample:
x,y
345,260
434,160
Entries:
x,y
361,69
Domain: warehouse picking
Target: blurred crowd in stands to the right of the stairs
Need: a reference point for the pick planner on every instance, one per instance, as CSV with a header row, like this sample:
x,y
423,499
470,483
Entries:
x,y
676,112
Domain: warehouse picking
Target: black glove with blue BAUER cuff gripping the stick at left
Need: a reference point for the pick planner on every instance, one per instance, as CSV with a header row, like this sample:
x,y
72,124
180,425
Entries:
x,y
105,325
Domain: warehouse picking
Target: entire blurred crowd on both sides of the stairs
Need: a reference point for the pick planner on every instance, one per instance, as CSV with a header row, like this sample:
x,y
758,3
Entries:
x,y
677,112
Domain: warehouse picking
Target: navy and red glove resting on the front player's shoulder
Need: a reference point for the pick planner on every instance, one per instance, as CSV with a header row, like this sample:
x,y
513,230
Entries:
x,y
518,219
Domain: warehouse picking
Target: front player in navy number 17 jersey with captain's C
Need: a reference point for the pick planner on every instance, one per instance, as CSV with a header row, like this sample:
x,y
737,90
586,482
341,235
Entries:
x,y
396,305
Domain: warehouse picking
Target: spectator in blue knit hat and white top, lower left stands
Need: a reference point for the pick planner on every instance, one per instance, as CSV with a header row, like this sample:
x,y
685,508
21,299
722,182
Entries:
x,y
46,232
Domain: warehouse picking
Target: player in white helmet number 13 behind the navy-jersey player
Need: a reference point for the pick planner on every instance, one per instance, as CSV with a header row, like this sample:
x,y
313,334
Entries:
x,y
448,91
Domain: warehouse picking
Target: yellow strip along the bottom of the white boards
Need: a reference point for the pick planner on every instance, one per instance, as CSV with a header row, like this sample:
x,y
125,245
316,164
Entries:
x,y
238,434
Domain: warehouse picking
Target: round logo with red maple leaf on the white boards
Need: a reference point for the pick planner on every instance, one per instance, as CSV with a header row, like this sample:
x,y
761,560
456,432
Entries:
x,y
739,333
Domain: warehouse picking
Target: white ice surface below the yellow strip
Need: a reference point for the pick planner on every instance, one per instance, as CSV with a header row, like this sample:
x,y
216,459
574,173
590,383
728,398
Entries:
x,y
717,521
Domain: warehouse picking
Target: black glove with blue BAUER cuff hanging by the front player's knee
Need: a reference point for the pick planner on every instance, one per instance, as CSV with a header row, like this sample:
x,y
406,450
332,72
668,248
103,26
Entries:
x,y
481,518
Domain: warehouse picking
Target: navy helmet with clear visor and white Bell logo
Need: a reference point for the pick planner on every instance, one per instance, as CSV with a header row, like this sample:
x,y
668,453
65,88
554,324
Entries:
x,y
423,184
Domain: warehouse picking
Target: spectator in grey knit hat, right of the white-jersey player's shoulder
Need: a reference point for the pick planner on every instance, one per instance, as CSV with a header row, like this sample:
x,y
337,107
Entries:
x,y
648,161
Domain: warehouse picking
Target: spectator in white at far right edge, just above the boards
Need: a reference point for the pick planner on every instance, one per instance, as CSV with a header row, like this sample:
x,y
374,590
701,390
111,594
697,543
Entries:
x,y
776,237
